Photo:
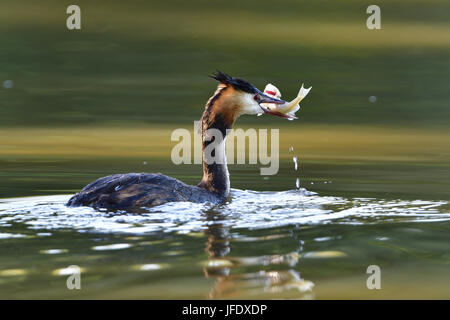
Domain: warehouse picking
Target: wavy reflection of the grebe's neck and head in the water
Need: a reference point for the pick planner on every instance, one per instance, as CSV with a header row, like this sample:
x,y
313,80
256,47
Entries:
x,y
249,277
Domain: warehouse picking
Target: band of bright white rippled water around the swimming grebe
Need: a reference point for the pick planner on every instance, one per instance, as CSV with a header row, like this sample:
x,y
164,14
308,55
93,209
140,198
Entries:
x,y
247,209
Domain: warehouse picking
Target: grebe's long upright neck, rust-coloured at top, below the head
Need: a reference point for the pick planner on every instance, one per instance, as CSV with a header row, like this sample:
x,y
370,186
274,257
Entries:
x,y
220,113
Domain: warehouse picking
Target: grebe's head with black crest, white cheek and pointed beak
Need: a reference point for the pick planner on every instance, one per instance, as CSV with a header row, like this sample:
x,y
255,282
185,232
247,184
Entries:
x,y
242,97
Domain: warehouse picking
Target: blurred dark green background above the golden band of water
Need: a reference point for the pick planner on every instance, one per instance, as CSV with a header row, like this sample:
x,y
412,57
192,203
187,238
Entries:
x,y
148,61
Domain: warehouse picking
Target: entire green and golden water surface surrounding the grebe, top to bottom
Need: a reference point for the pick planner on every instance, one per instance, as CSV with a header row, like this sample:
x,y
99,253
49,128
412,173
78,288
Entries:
x,y
372,137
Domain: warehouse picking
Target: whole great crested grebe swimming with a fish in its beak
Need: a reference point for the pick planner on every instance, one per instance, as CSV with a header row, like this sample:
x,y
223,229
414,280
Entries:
x,y
233,98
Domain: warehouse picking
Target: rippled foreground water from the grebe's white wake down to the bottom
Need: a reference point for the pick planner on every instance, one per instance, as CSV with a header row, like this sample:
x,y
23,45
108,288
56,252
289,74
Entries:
x,y
290,244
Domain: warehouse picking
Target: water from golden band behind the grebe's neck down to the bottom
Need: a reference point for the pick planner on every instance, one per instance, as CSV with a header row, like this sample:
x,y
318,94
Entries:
x,y
376,198
